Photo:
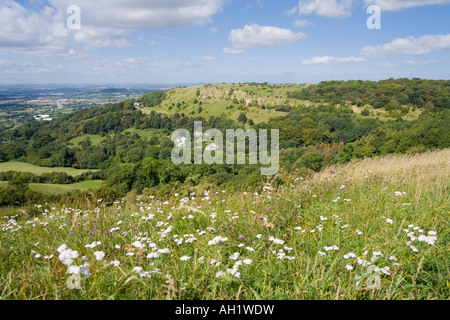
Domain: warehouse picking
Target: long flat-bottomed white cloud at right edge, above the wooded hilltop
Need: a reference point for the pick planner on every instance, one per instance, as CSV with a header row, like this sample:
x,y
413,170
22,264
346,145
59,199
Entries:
x,y
410,46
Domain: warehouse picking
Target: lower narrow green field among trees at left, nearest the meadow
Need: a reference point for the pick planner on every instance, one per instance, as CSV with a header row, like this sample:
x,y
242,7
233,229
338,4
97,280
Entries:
x,y
60,189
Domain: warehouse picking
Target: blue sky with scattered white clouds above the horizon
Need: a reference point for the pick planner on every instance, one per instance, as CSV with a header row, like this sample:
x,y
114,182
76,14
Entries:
x,y
216,41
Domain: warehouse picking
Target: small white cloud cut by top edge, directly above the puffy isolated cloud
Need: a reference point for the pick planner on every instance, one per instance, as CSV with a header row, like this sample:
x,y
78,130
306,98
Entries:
x,y
327,8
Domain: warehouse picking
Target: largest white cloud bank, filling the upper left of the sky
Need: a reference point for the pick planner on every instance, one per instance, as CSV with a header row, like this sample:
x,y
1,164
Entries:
x,y
104,23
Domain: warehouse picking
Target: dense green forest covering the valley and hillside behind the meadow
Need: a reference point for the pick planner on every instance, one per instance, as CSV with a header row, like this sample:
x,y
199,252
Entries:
x,y
133,148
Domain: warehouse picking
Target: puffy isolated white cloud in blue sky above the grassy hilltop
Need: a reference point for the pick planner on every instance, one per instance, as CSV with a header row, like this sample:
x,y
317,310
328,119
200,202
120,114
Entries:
x,y
252,36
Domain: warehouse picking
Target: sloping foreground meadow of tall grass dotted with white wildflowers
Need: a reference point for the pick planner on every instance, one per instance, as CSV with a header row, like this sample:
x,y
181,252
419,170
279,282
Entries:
x,y
374,229
